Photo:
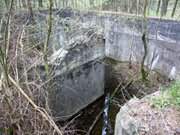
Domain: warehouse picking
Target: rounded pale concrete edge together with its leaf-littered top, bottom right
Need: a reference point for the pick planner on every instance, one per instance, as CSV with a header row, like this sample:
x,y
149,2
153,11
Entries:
x,y
148,119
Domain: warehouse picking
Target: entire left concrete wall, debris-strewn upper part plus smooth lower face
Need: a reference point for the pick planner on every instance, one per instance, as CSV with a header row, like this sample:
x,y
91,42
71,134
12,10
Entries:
x,y
79,79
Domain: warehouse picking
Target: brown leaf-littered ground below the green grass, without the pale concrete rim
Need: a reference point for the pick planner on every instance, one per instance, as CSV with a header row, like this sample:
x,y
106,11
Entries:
x,y
153,120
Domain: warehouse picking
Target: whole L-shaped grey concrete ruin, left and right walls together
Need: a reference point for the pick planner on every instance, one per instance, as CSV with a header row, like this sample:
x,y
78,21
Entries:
x,y
80,40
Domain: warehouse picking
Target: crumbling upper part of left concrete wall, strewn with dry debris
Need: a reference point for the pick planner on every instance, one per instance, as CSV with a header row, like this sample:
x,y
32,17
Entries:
x,y
82,44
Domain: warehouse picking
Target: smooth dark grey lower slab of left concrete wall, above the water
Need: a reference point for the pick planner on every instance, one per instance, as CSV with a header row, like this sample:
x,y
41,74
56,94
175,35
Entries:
x,y
75,89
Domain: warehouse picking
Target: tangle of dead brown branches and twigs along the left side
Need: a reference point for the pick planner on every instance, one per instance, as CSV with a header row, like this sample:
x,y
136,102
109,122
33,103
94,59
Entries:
x,y
24,99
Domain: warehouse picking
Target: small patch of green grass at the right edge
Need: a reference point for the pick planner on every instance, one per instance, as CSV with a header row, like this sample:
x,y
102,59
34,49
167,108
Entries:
x,y
168,96
